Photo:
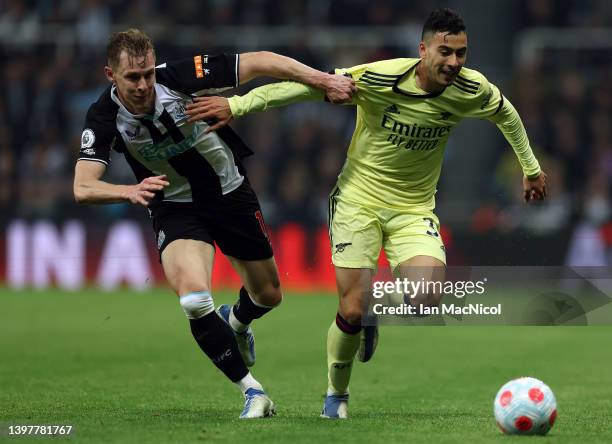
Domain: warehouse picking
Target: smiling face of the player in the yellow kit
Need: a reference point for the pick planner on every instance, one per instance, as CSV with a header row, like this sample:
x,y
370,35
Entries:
x,y
443,55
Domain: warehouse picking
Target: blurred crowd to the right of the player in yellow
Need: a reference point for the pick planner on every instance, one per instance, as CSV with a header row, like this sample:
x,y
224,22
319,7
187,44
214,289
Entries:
x,y
564,98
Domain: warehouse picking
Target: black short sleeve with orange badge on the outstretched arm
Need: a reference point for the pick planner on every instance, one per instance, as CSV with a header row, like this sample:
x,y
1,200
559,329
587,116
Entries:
x,y
201,74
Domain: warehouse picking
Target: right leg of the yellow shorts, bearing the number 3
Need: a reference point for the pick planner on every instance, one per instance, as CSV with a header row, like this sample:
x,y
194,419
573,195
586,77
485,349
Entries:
x,y
407,236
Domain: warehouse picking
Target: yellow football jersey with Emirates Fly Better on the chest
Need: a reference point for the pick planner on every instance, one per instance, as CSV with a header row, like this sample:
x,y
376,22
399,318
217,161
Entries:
x,y
395,156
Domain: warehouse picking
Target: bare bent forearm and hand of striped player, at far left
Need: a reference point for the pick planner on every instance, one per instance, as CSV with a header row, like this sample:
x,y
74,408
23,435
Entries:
x,y
88,188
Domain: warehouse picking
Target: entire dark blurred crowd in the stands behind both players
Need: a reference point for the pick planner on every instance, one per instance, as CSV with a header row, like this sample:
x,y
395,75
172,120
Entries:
x,y
565,100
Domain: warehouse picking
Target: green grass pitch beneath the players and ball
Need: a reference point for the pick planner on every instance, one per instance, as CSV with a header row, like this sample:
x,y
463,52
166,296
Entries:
x,y
122,367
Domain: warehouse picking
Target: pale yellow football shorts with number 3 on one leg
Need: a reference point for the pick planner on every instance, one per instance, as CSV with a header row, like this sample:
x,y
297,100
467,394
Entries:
x,y
357,232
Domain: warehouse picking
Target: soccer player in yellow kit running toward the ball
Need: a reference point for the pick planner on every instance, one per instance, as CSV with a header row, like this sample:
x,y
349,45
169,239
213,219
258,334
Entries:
x,y
385,194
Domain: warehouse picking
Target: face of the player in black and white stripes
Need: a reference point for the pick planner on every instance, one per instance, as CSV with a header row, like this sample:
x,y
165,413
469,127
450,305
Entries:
x,y
135,81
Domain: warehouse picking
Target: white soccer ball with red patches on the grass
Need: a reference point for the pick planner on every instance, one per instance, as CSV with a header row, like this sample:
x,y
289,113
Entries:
x,y
525,406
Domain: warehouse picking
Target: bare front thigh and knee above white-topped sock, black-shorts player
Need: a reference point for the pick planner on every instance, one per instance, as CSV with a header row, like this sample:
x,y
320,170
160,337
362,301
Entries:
x,y
188,264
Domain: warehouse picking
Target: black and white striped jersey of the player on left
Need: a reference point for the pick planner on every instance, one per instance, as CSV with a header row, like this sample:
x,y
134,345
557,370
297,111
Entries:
x,y
198,165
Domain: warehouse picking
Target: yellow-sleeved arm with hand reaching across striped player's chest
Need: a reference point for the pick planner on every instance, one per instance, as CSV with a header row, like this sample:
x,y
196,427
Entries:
x,y
259,99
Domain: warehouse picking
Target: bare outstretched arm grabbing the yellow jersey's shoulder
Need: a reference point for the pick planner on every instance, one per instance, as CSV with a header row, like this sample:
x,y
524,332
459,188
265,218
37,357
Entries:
x,y
338,89
